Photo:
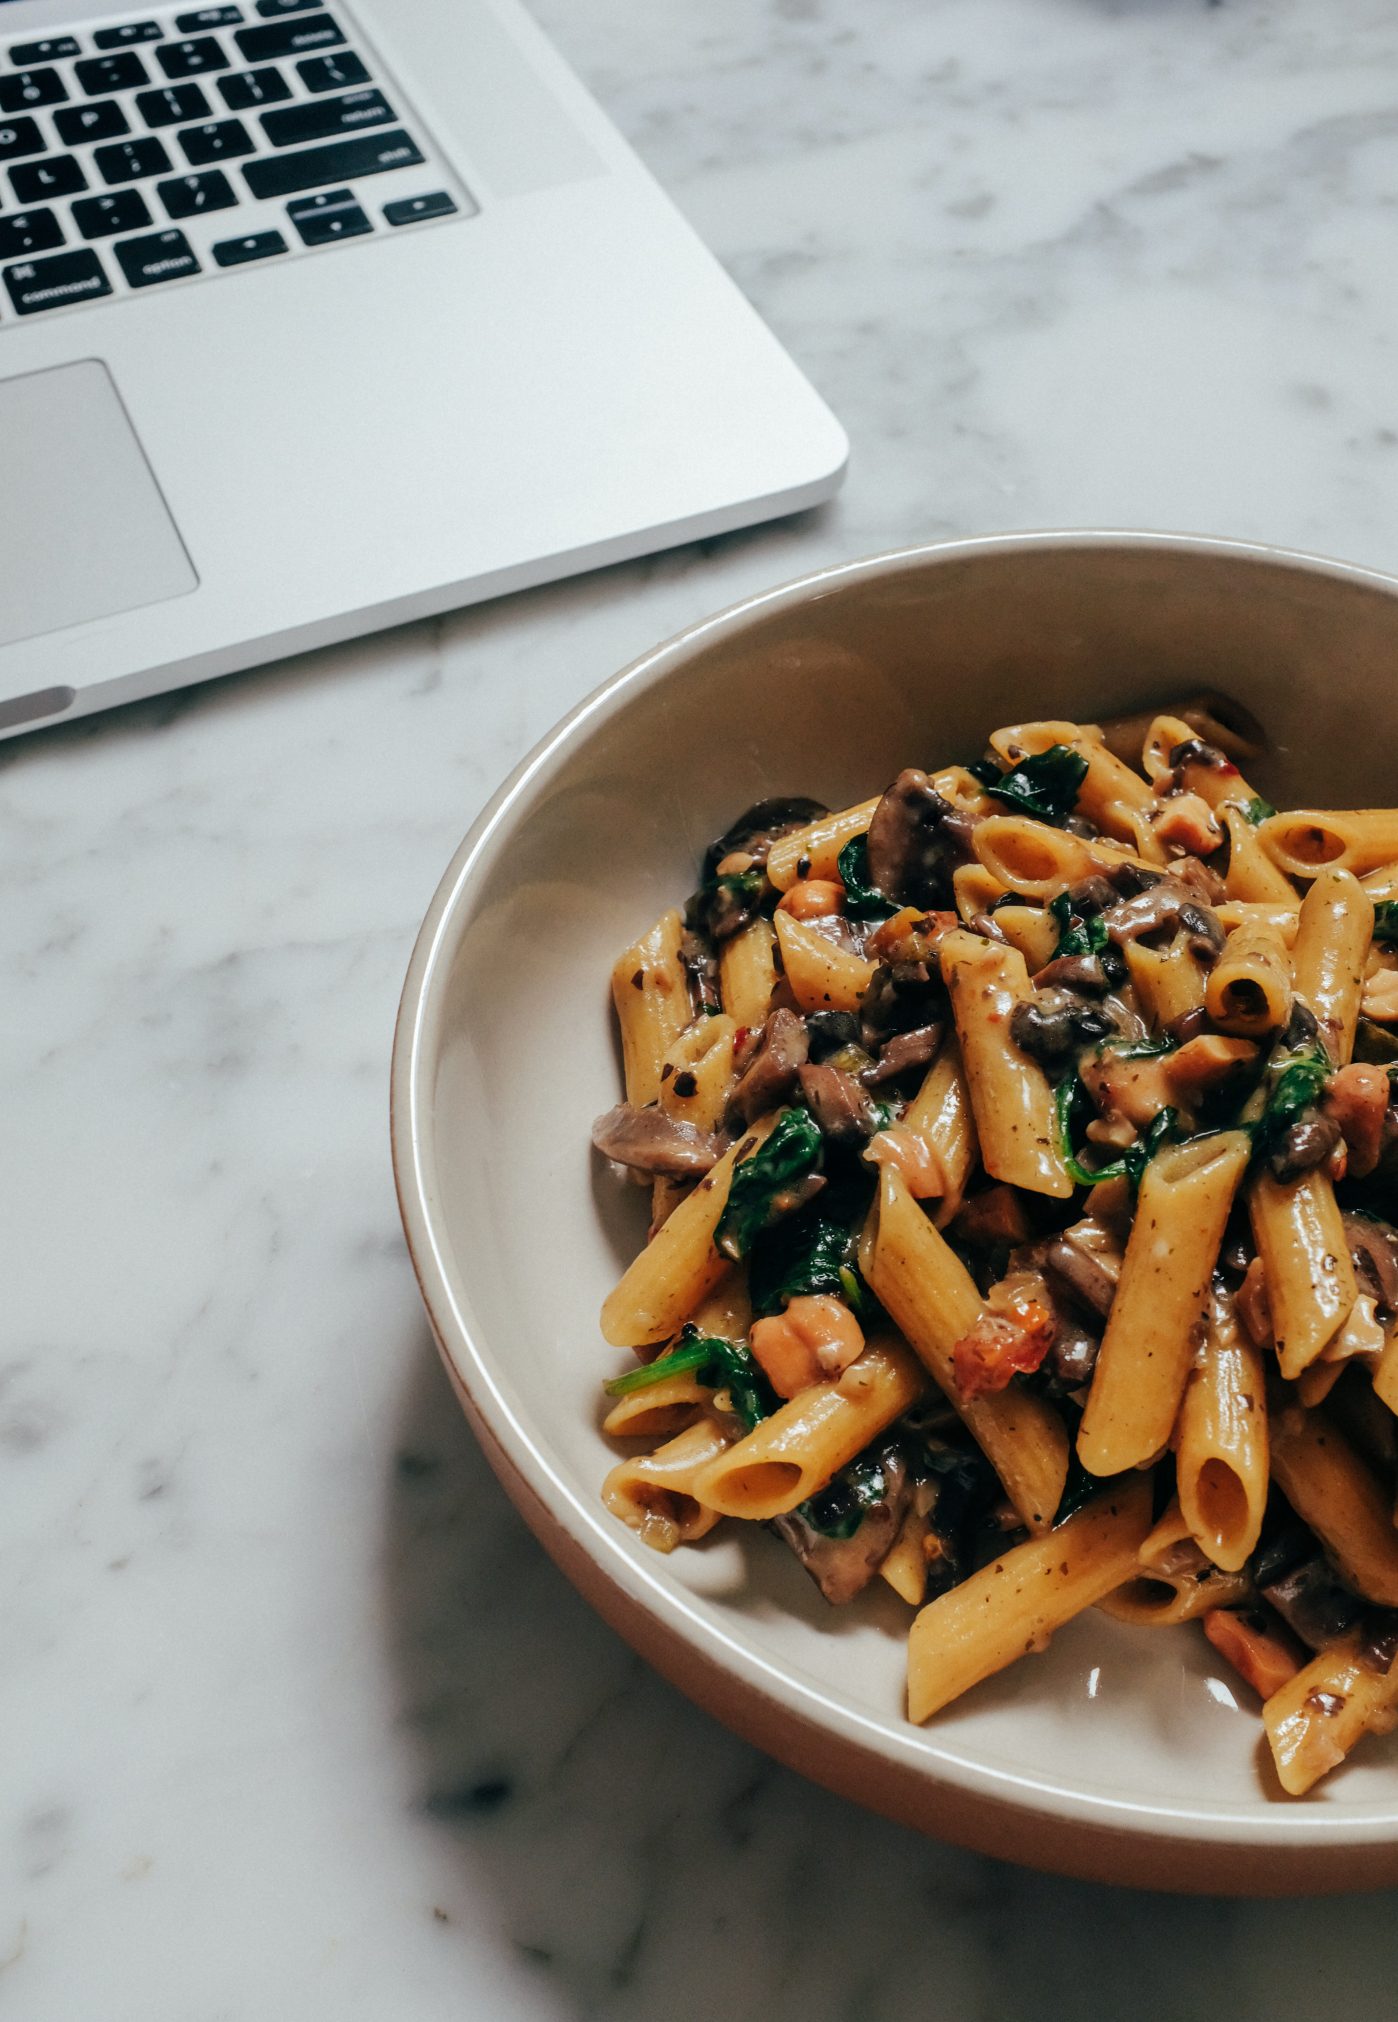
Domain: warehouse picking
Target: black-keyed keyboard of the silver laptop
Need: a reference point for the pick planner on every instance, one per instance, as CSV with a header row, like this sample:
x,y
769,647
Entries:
x,y
151,153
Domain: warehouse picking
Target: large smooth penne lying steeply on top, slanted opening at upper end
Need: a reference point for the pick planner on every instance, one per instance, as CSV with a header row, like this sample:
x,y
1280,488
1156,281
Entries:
x,y
1158,1313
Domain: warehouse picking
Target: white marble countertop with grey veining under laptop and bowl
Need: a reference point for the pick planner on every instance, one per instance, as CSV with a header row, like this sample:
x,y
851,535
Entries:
x,y
298,1722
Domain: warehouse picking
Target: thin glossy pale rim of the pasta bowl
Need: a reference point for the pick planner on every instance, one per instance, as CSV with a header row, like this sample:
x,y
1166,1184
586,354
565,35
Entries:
x,y
541,1489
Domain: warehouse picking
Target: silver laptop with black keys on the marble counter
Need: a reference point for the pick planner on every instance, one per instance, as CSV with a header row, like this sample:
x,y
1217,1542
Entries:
x,y
325,316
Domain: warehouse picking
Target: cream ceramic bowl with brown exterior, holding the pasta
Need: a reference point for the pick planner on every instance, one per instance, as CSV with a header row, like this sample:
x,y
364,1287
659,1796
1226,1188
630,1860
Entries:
x,y
1122,1754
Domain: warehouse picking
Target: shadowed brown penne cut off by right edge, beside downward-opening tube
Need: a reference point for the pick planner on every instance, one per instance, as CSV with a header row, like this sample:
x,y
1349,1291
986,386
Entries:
x,y
1330,1487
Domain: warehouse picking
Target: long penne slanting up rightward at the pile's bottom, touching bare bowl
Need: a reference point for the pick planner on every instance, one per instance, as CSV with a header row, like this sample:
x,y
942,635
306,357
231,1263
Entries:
x,y
1015,1604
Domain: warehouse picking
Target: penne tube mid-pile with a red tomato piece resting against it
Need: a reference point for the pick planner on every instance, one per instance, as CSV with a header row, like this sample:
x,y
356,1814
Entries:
x,y
932,1297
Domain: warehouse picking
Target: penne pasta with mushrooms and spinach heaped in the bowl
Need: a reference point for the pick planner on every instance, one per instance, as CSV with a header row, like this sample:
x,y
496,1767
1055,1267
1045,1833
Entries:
x,y
1023,1150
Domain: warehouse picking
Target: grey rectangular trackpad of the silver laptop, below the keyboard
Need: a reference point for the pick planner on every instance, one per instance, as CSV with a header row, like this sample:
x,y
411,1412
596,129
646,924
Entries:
x,y
84,529
